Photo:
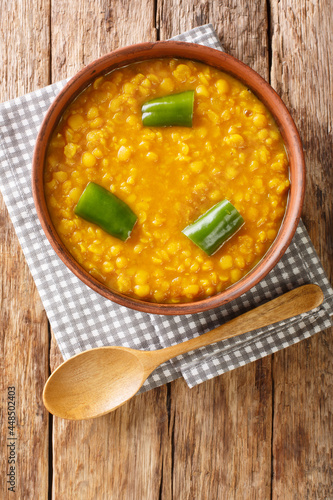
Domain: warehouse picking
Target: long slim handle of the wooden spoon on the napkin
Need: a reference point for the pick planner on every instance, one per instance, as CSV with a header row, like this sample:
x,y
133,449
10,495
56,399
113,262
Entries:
x,y
293,303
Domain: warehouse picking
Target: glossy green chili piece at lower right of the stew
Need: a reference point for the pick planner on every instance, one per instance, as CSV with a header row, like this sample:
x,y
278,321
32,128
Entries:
x,y
215,227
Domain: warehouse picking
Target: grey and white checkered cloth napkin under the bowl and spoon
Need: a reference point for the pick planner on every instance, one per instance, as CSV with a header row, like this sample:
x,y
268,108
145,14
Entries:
x,y
81,319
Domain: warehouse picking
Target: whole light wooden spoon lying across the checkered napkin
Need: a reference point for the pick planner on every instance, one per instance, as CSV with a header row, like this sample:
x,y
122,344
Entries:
x,y
100,380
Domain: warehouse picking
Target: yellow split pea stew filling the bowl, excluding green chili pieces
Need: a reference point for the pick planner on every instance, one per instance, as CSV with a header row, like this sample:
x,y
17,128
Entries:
x,y
168,176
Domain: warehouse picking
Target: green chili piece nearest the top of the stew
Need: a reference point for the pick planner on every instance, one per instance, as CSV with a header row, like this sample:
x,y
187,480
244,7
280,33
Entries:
x,y
174,109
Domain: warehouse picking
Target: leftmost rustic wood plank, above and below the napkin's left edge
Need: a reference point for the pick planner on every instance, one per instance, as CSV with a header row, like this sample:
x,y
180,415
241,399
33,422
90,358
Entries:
x,y
24,48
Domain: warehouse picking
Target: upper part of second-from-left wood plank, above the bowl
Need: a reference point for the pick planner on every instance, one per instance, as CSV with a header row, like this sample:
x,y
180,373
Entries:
x,y
83,30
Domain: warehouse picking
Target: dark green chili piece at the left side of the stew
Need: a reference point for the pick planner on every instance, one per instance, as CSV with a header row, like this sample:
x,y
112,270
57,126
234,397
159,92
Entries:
x,y
103,208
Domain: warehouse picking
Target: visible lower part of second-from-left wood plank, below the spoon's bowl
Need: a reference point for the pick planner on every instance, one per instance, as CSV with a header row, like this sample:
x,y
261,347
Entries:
x,y
121,455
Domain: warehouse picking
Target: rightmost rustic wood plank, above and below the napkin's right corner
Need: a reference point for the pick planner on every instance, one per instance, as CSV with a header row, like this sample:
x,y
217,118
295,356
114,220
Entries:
x,y
303,378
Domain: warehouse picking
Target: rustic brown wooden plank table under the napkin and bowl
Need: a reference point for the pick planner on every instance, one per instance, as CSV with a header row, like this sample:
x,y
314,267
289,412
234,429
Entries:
x,y
262,431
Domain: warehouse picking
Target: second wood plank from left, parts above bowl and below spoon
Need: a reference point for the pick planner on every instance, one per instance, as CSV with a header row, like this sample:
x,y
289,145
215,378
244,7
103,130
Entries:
x,y
122,455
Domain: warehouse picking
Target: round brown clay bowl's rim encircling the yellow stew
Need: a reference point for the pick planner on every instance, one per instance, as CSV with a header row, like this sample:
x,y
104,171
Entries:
x,y
227,63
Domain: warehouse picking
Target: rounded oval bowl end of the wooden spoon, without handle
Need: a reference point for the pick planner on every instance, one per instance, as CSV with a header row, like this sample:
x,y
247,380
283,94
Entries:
x,y
71,393
